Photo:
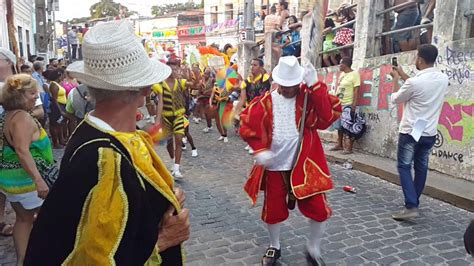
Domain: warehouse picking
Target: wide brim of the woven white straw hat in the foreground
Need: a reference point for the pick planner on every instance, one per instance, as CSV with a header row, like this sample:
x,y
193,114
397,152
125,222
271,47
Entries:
x,y
148,75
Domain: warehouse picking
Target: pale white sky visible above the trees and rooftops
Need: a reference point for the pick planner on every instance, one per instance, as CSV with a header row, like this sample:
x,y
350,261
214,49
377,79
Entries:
x,y
69,9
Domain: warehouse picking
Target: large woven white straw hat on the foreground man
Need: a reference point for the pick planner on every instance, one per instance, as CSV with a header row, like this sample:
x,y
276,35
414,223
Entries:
x,y
114,59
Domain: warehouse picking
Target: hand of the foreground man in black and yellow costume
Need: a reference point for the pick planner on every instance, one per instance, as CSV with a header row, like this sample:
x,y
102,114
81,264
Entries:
x,y
174,229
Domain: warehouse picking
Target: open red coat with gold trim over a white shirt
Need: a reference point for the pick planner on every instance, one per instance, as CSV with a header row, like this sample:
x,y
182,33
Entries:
x,y
310,175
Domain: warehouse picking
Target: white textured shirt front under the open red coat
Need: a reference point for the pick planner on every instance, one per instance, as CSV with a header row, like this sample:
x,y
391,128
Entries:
x,y
285,133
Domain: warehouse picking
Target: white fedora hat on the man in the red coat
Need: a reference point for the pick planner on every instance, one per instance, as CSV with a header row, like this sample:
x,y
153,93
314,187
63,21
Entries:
x,y
288,72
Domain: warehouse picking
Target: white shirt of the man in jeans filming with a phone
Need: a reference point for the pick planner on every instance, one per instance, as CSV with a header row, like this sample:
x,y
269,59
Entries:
x,y
422,97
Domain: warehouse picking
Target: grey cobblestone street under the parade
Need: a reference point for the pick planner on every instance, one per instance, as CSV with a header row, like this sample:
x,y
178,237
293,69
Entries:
x,y
227,231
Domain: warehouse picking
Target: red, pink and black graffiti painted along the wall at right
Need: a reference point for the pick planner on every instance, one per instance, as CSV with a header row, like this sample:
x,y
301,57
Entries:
x,y
455,129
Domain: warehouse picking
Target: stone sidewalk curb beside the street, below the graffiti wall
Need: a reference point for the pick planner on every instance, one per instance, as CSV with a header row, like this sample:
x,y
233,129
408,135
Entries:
x,y
436,193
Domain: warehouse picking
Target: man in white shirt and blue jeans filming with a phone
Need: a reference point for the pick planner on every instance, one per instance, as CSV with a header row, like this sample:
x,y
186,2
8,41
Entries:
x,y
422,97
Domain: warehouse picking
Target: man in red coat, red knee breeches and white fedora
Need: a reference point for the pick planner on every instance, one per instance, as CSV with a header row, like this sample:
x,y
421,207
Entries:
x,y
290,161
